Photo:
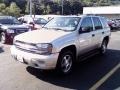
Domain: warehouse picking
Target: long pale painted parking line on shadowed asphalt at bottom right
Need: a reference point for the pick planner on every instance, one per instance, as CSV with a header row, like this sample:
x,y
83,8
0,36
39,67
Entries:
x,y
101,81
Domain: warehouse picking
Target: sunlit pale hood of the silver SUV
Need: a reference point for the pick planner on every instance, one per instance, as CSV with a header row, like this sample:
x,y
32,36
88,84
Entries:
x,y
41,36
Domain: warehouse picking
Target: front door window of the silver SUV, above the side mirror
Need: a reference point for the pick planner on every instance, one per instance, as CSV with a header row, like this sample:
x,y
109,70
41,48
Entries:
x,y
87,24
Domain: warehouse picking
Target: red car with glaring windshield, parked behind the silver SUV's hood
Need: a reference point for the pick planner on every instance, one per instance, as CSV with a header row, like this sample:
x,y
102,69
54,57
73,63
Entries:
x,y
34,22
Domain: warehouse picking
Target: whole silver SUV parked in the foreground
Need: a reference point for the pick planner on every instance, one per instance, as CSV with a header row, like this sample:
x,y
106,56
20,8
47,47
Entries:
x,y
59,43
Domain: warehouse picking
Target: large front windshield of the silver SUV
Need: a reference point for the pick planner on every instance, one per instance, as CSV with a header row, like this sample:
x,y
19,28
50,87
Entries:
x,y
63,23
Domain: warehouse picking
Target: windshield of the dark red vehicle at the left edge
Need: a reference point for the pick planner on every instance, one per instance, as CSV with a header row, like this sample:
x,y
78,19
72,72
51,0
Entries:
x,y
9,21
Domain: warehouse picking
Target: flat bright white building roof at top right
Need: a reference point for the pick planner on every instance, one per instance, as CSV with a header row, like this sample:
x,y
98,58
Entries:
x,y
102,10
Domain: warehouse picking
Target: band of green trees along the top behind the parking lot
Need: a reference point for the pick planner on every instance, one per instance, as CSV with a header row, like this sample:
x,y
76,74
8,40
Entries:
x,y
17,7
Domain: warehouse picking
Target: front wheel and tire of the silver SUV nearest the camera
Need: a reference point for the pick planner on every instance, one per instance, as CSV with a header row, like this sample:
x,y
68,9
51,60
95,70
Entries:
x,y
65,62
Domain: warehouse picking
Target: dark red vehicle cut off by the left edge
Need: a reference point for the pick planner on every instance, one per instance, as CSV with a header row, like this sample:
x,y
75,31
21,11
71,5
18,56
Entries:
x,y
10,27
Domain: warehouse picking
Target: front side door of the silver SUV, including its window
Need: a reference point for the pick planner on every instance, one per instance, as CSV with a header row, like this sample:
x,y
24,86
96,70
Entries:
x,y
85,35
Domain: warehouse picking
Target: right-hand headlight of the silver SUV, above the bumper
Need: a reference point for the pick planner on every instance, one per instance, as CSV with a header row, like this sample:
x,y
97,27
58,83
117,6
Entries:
x,y
44,48
